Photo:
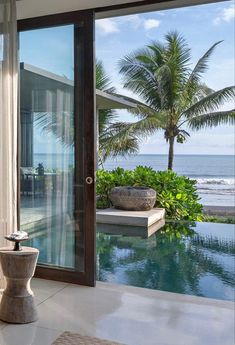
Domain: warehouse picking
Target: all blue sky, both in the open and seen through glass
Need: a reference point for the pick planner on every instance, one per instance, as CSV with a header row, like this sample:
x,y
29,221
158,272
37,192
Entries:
x,y
202,26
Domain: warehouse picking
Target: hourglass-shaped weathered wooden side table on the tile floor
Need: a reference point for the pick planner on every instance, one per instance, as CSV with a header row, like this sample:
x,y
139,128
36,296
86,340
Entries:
x,y
17,304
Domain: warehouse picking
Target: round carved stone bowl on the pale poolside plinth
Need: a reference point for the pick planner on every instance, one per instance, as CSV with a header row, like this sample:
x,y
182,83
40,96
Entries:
x,y
133,198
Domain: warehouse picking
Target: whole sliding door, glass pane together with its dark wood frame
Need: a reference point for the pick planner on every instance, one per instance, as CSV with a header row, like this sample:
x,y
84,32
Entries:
x,y
56,154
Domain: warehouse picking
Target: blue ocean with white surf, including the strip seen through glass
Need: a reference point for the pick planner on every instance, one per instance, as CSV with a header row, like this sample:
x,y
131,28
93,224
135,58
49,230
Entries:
x,y
214,173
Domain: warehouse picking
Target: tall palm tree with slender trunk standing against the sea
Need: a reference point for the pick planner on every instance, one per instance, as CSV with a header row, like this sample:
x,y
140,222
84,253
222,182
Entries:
x,y
173,94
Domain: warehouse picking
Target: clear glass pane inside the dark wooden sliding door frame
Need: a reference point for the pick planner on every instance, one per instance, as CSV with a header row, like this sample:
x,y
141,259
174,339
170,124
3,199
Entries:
x,y
47,145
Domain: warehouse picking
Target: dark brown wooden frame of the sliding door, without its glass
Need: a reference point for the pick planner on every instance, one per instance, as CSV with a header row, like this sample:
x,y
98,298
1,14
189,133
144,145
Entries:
x,y
85,124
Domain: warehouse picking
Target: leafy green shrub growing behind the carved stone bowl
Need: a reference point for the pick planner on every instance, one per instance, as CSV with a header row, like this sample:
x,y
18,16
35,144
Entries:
x,y
177,194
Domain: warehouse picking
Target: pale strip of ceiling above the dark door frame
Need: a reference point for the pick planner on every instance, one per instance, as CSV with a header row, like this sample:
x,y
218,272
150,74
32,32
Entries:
x,y
35,8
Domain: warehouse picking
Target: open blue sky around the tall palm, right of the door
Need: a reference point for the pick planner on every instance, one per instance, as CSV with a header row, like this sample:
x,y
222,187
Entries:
x,y
201,26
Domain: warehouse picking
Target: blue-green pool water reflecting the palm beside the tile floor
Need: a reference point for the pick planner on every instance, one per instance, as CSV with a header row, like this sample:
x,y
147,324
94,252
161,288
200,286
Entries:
x,y
196,259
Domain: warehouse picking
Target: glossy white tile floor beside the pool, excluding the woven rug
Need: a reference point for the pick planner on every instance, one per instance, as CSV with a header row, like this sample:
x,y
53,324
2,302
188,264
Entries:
x,y
126,314
